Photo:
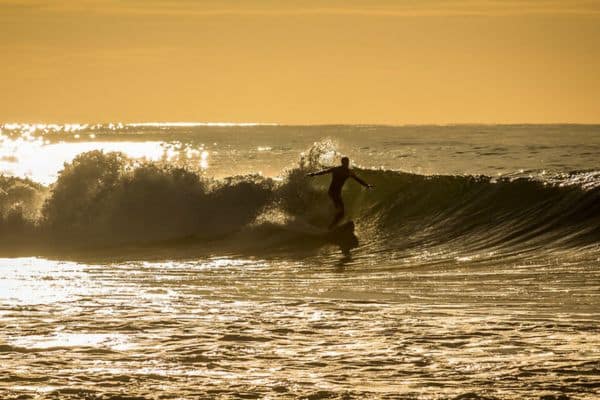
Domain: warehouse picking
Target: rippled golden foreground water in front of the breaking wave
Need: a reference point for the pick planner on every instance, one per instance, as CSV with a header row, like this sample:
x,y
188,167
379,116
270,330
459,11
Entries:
x,y
252,328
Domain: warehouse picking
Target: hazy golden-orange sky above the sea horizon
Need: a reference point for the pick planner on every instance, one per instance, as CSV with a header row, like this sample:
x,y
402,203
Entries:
x,y
300,62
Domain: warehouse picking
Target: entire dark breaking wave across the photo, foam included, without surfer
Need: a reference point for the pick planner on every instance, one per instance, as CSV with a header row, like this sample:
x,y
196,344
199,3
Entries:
x,y
105,199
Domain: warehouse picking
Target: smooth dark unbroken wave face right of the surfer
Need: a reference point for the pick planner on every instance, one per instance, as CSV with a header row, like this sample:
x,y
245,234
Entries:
x,y
483,213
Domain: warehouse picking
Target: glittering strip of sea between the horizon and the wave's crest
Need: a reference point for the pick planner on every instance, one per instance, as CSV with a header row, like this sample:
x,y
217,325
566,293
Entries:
x,y
39,151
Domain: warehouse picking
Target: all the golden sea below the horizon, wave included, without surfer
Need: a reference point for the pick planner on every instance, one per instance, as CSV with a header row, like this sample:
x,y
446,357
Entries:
x,y
176,261
